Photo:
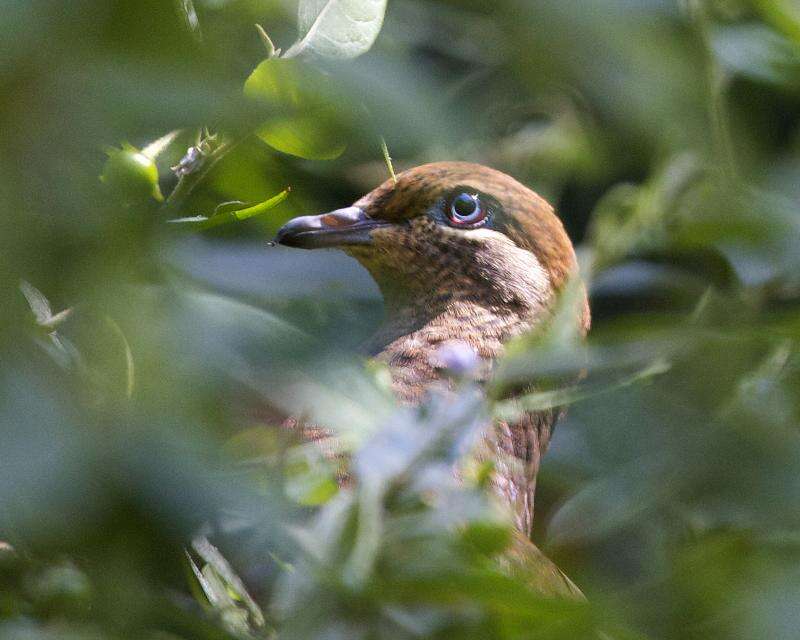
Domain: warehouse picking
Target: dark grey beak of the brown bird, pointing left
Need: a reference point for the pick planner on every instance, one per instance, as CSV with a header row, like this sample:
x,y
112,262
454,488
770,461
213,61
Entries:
x,y
343,227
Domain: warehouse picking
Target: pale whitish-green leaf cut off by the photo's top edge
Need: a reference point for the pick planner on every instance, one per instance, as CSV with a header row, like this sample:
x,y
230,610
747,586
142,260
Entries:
x,y
337,28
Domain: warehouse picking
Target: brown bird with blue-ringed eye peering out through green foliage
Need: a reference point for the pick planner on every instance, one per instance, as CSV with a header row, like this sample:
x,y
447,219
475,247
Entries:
x,y
462,254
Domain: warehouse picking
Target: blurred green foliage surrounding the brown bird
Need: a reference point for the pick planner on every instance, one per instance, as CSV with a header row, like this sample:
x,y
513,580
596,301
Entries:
x,y
667,135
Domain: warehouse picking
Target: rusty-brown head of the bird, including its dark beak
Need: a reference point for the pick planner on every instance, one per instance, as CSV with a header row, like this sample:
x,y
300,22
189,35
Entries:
x,y
449,230
